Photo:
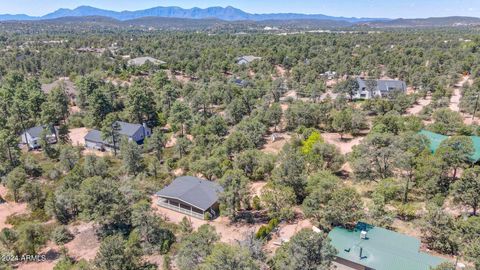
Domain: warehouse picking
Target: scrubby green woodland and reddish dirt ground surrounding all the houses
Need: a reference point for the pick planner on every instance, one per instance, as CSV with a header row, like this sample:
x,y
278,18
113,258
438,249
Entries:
x,y
282,135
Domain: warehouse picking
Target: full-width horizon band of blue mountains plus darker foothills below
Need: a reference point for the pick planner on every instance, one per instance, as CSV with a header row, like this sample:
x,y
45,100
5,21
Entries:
x,y
226,17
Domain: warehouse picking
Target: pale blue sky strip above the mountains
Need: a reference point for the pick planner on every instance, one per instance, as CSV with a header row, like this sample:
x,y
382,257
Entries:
x,y
348,8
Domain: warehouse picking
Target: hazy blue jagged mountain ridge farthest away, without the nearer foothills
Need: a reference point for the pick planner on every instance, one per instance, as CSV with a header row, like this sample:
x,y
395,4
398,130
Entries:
x,y
223,13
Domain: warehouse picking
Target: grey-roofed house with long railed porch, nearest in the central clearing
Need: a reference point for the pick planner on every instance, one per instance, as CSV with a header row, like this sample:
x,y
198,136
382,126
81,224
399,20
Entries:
x,y
191,196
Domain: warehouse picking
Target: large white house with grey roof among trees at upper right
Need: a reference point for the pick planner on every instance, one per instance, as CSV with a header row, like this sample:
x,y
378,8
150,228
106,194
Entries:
x,y
382,88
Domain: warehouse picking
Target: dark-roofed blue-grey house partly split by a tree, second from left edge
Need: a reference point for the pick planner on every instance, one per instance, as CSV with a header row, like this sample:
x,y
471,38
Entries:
x,y
133,132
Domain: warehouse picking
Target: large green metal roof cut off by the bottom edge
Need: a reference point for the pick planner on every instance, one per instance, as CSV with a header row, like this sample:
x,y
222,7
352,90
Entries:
x,y
369,247
